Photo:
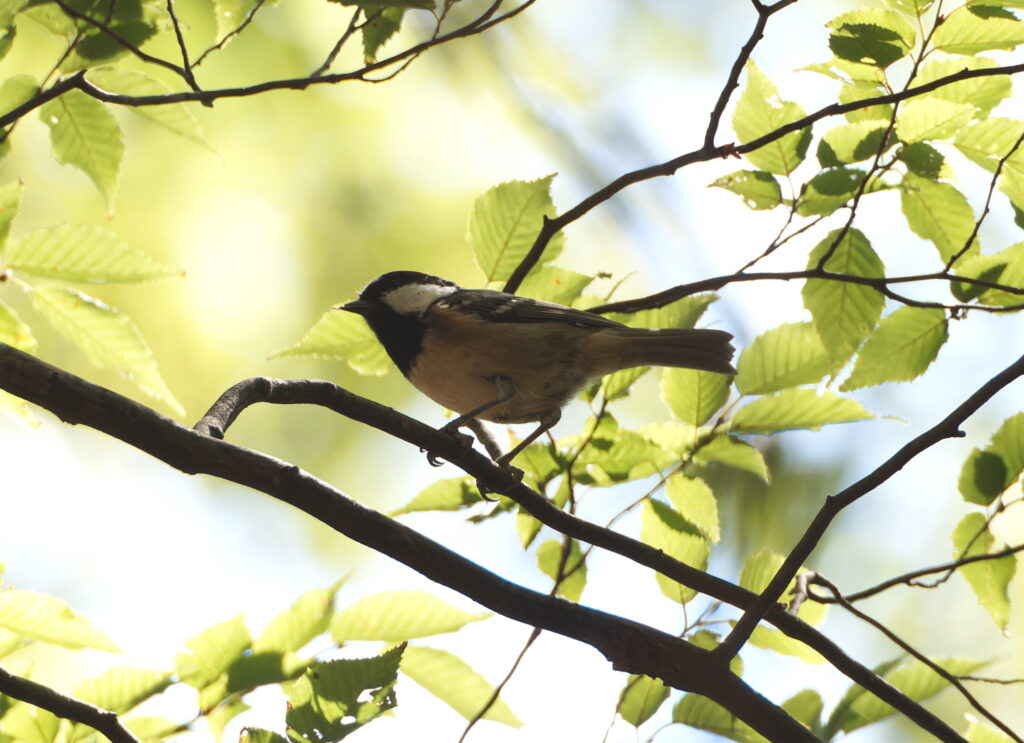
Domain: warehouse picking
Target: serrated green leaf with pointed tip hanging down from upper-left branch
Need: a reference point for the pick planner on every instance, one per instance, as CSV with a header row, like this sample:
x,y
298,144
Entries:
x,y
87,136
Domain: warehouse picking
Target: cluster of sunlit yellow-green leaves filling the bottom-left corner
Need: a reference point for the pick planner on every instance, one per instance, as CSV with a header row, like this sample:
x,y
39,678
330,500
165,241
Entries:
x,y
327,696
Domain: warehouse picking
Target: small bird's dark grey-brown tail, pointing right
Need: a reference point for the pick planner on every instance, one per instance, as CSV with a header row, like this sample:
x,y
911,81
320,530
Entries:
x,y
693,348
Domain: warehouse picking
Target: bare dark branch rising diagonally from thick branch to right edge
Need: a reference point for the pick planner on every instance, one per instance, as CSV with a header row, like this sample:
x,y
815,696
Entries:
x,y
948,428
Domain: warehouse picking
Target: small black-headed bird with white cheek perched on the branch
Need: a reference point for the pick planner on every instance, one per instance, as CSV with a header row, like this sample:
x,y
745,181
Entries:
x,y
494,357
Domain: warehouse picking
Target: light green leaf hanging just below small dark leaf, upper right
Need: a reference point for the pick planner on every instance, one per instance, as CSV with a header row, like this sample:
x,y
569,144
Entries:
x,y
938,212
